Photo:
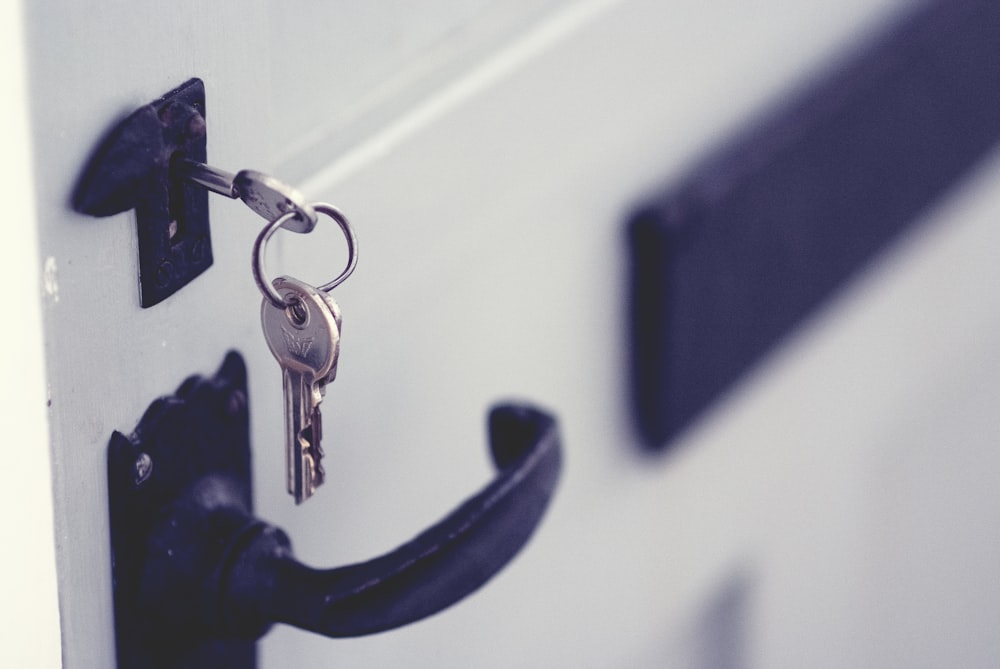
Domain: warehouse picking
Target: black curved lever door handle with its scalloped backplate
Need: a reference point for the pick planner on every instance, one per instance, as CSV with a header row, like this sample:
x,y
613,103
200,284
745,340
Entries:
x,y
197,578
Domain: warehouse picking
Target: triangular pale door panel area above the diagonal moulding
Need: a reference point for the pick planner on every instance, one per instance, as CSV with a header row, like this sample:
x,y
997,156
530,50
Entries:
x,y
363,64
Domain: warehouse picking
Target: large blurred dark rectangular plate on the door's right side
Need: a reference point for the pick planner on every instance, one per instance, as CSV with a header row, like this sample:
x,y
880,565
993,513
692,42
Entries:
x,y
726,263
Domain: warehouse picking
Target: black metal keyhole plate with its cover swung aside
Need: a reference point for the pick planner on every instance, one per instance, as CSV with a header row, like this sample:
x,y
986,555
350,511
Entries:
x,y
131,170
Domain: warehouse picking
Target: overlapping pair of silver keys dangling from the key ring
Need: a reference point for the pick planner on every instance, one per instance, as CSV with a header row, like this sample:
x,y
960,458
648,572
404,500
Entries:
x,y
305,340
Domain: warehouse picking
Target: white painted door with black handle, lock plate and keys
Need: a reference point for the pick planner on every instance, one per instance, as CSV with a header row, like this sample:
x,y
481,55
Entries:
x,y
487,153
